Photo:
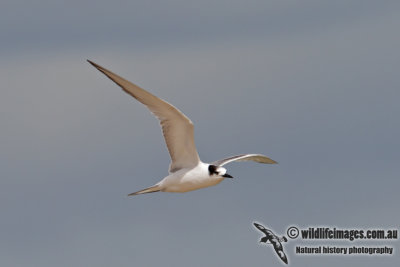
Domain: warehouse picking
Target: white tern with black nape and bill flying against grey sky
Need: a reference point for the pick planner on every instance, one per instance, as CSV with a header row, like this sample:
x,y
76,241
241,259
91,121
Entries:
x,y
186,171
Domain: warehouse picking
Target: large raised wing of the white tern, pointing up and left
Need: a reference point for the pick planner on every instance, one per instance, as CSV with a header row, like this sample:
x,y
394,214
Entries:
x,y
177,128
